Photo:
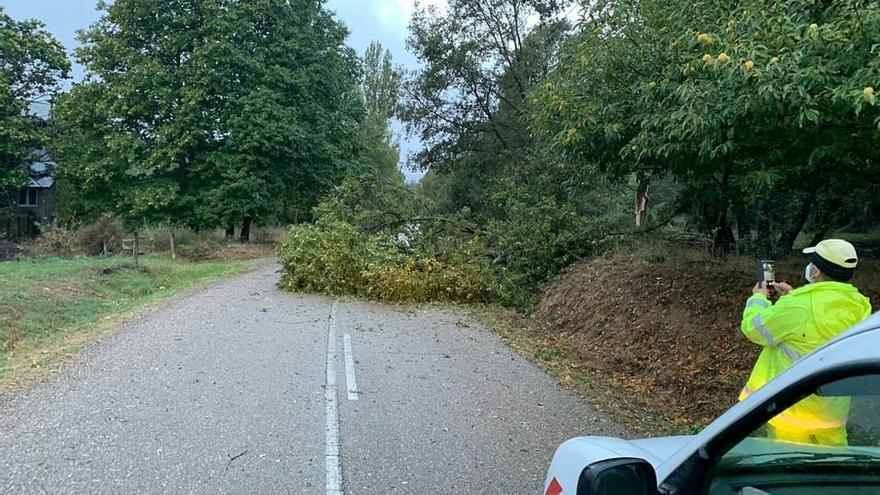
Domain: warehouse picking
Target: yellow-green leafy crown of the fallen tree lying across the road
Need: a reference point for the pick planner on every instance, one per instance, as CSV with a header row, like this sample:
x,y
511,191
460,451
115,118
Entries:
x,y
371,239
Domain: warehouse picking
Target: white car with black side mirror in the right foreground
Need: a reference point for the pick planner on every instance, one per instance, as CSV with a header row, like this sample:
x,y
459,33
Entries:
x,y
732,456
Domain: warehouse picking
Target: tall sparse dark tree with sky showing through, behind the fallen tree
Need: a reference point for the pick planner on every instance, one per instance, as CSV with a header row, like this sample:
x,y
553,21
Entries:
x,y
469,102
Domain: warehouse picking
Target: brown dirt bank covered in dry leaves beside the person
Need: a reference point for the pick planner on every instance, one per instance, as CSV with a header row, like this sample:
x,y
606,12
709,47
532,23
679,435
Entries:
x,y
664,329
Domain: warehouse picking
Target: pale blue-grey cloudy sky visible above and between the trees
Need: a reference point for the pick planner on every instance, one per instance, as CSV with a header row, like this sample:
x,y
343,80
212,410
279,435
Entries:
x,y
385,21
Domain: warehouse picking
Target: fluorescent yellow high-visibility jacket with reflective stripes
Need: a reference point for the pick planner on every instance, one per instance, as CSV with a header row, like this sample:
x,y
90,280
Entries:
x,y
799,322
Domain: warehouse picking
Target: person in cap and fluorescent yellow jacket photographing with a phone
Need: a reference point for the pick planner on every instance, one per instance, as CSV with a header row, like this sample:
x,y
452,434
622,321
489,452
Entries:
x,y
799,322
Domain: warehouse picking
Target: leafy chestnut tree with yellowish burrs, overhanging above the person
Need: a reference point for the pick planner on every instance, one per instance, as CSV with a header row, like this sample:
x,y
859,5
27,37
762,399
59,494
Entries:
x,y
756,109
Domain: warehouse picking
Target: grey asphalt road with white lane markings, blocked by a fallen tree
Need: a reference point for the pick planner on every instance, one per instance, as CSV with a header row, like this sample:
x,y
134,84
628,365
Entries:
x,y
242,388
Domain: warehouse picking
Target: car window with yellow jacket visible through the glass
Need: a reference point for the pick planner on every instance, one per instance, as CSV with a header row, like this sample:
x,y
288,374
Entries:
x,y
828,443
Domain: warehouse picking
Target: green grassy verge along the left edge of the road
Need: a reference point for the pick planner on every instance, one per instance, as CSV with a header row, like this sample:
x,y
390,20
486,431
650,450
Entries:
x,y
50,308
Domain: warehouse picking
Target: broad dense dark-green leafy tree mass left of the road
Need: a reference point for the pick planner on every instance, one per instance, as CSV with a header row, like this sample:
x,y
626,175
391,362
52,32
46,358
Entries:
x,y
212,112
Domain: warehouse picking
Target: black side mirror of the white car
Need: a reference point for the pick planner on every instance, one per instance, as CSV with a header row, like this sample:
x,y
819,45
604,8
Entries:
x,y
618,477
